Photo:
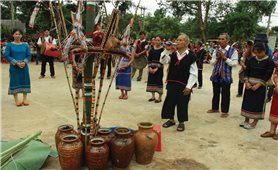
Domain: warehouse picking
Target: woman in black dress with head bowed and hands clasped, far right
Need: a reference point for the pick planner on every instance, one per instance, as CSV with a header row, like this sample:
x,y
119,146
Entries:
x,y
258,71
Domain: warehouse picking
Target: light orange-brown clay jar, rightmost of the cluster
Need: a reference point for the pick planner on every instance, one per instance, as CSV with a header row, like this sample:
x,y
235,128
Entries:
x,y
145,143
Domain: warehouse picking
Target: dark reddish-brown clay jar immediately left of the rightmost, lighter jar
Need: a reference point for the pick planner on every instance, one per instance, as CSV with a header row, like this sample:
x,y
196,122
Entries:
x,y
122,147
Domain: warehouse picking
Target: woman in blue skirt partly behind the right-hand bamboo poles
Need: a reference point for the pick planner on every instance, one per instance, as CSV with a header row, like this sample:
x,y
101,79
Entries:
x,y
123,78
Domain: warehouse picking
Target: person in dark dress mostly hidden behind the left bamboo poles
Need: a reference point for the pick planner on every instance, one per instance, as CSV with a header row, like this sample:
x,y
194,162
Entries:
x,y
76,70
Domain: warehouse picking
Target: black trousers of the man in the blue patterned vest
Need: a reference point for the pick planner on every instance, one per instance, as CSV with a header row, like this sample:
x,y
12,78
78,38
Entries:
x,y
223,89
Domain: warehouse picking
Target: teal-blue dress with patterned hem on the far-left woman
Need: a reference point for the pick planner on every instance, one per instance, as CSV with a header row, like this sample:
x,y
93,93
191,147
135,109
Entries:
x,y
19,77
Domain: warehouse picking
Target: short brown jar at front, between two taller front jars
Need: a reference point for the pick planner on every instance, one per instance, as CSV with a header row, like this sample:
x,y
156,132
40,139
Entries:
x,y
97,154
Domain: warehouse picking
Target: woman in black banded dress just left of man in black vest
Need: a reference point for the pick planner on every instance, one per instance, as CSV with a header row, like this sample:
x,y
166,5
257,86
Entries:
x,y
155,76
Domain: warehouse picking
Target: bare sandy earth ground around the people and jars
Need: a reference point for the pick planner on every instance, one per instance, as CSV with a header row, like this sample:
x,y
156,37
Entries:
x,y
209,142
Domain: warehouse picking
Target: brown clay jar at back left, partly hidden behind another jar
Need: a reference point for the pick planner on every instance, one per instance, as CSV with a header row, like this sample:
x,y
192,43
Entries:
x,y
61,132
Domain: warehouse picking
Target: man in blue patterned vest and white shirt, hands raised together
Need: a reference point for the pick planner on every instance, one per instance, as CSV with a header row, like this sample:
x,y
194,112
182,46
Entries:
x,y
224,58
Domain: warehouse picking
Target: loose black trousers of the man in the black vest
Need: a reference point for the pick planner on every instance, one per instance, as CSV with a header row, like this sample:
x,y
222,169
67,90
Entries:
x,y
175,97
